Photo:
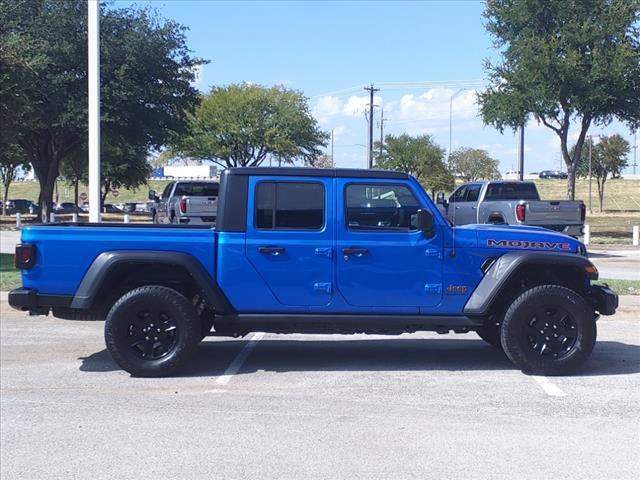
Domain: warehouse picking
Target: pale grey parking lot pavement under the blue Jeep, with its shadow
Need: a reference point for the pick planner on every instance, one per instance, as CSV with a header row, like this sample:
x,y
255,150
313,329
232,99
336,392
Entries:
x,y
269,406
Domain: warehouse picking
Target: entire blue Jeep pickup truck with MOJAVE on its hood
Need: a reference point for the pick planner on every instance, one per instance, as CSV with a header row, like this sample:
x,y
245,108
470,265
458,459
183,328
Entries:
x,y
316,251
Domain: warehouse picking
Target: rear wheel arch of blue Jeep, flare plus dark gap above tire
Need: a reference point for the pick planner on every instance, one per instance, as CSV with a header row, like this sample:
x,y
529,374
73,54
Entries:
x,y
111,271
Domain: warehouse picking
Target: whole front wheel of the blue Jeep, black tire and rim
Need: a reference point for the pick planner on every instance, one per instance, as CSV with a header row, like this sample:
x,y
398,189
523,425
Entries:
x,y
549,330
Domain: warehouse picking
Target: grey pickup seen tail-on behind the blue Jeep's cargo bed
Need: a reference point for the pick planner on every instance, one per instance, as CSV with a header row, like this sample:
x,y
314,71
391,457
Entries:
x,y
186,202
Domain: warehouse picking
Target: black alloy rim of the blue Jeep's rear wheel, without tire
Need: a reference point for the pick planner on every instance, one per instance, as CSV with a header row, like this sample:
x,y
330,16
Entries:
x,y
152,334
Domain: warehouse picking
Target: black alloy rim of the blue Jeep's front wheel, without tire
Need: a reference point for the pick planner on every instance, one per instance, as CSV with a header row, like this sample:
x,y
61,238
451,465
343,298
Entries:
x,y
551,332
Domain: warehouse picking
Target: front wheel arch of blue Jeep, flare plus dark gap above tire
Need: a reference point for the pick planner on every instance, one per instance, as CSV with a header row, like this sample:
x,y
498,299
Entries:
x,y
514,270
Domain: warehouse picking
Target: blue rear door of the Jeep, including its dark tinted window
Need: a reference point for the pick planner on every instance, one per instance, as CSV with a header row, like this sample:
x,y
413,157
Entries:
x,y
290,237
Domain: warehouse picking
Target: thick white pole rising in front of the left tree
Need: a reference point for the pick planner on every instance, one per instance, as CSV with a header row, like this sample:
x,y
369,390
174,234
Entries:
x,y
94,109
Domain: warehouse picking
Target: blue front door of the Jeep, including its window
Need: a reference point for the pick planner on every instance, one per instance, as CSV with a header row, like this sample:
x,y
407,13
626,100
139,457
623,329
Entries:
x,y
383,260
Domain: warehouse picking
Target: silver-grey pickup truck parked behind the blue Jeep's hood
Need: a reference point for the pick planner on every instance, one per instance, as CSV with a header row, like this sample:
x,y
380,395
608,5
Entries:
x,y
511,203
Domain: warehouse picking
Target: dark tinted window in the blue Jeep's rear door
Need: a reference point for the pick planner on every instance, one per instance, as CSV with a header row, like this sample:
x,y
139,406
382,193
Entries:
x,y
289,206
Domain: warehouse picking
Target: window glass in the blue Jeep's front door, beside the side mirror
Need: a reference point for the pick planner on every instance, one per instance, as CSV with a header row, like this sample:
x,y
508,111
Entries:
x,y
381,207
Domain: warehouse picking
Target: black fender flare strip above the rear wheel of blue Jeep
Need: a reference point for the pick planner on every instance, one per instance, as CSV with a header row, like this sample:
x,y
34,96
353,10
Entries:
x,y
106,262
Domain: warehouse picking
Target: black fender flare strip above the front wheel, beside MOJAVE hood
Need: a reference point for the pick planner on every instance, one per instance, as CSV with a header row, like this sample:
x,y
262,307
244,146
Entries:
x,y
502,271
